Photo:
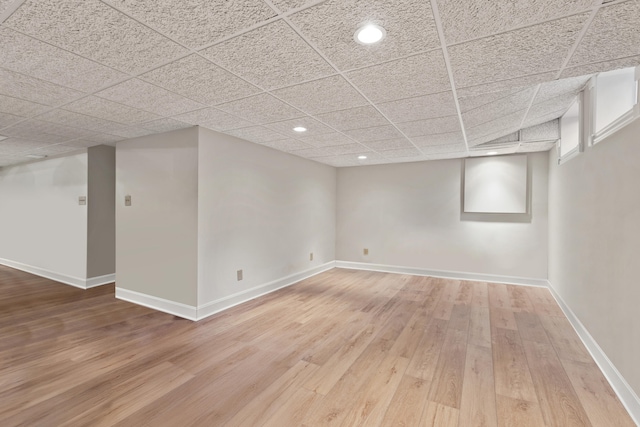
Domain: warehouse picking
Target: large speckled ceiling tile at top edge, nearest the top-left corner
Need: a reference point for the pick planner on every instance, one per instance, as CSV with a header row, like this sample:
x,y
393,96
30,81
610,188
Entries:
x,y
92,29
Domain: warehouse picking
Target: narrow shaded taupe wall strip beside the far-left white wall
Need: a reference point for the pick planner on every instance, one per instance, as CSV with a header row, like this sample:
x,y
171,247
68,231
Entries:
x,y
101,227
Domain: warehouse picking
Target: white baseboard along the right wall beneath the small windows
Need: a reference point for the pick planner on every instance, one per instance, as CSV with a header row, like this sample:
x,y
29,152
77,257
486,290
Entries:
x,y
625,393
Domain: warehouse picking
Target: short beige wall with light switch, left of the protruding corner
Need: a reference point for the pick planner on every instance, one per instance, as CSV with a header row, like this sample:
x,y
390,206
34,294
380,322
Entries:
x,y
156,237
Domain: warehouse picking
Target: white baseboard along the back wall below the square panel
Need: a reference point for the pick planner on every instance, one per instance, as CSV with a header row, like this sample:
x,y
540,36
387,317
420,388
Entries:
x,y
459,275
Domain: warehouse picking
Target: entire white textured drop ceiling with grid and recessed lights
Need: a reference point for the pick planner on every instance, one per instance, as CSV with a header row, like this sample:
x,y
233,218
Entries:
x,y
453,78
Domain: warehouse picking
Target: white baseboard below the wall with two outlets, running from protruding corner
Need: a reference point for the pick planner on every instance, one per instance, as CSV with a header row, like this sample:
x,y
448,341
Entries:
x,y
227,302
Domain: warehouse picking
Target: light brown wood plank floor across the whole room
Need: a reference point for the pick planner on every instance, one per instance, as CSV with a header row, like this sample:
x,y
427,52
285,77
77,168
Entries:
x,y
344,348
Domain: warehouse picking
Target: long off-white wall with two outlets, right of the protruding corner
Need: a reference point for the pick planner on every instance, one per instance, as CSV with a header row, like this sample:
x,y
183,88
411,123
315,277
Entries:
x,y
262,211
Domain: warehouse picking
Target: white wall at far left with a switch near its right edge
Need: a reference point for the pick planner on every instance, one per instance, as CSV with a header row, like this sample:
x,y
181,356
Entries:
x,y
42,226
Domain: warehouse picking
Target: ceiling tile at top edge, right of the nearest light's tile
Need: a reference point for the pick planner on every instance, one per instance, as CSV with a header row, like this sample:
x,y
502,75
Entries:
x,y
470,19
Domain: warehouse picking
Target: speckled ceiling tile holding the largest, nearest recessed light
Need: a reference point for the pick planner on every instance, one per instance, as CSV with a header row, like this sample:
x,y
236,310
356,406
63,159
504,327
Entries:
x,y
330,25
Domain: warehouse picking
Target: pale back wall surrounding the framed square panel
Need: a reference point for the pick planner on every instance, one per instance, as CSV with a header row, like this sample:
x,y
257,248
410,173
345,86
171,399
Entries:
x,y
409,215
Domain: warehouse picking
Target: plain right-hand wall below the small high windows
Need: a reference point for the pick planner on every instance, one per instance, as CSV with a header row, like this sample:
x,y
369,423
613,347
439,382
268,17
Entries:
x,y
594,242
